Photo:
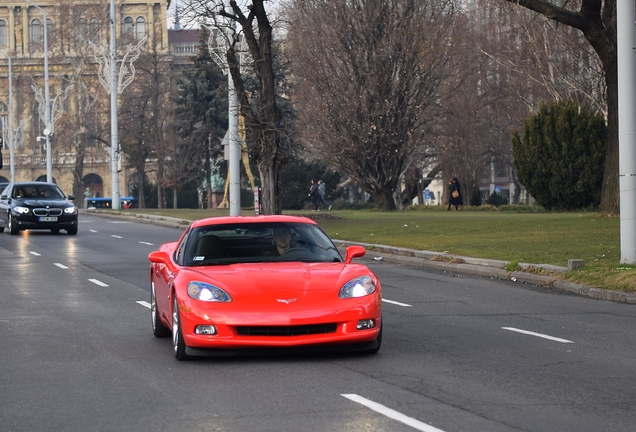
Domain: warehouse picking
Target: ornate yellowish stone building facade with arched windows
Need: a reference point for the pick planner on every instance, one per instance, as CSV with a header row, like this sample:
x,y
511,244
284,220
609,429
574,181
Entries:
x,y
80,105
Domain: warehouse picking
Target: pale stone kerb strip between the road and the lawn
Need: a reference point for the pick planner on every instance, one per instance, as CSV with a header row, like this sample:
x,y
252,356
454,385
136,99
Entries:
x,y
412,257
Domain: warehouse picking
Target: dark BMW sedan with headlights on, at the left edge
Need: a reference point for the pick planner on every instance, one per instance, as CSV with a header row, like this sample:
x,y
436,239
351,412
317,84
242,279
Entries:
x,y
37,205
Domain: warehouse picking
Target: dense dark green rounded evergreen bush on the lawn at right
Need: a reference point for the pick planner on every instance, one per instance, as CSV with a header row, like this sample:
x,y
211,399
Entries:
x,y
560,157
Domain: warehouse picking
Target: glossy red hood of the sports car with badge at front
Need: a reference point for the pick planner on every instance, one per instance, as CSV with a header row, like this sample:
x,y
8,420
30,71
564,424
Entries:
x,y
255,283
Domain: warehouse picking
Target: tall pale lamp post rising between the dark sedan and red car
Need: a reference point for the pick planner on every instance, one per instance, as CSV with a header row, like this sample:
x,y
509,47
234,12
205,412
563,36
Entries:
x,y
114,134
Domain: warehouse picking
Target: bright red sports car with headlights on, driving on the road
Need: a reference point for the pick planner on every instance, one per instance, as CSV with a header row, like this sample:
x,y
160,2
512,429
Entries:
x,y
235,284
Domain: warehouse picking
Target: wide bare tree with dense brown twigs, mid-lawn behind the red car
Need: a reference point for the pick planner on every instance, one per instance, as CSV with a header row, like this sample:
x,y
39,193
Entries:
x,y
367,80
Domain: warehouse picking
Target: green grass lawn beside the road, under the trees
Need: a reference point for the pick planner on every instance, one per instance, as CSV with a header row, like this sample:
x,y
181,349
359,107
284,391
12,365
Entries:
x,y
539,238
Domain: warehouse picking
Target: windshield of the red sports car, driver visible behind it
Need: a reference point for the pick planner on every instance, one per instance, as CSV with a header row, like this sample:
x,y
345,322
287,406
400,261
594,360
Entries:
x,y
263,242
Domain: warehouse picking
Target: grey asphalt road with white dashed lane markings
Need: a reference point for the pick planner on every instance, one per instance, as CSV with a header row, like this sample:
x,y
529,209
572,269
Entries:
x,y
77,353
